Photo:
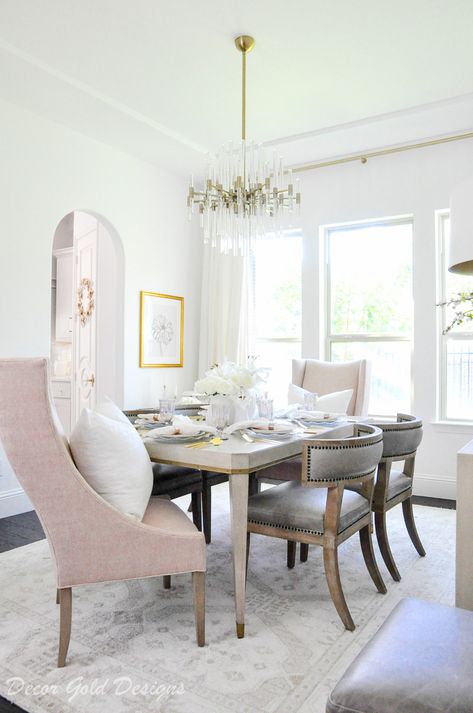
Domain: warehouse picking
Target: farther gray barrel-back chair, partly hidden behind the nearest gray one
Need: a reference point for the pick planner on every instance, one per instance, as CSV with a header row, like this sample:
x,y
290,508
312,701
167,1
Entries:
x,y
400,442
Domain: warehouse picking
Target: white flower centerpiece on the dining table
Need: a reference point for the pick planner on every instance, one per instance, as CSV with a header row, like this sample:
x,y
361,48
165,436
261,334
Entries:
x,y
238,385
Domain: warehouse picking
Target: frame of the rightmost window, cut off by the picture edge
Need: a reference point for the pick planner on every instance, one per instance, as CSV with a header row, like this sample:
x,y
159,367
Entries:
x,y
444,339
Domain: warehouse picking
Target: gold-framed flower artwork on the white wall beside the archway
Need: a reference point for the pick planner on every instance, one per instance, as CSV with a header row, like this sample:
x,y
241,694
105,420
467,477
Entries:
x,y
161,330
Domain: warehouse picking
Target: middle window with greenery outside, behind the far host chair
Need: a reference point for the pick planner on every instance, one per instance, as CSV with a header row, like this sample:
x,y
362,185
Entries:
x,y
369,305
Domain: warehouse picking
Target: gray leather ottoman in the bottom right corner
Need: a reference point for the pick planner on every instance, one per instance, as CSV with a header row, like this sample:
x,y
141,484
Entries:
x,y
420,661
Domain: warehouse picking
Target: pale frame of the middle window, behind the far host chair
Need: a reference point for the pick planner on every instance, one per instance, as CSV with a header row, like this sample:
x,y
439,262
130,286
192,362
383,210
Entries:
x,y
328,337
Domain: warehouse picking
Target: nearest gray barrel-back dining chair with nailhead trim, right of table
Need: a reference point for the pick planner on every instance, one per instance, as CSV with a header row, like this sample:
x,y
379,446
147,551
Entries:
x,y
320,510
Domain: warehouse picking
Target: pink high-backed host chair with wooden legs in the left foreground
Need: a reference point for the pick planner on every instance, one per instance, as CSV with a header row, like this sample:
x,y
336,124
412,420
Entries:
x,y
90,541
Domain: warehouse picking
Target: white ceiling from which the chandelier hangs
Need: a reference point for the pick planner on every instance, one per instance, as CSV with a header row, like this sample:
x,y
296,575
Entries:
x,y
161,79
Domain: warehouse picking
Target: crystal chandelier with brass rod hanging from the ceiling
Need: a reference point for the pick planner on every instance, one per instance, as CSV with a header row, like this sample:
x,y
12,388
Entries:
x,y
244,195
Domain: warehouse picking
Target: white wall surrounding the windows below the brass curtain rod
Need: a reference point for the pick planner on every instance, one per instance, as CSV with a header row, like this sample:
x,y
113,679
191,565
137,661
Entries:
x,y
417,183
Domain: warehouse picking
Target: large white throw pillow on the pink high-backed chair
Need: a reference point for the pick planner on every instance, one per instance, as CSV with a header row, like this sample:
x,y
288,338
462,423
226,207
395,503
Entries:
x,y
112,458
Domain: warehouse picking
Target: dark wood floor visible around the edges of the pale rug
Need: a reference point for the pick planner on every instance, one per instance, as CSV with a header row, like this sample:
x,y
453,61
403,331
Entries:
x,y
23,529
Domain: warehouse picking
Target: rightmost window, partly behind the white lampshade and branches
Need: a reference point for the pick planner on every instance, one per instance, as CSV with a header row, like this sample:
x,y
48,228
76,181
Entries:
x,y
456,346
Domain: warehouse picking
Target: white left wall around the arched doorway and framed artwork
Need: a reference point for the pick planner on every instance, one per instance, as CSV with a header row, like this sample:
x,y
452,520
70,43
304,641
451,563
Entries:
x,y
47,171
